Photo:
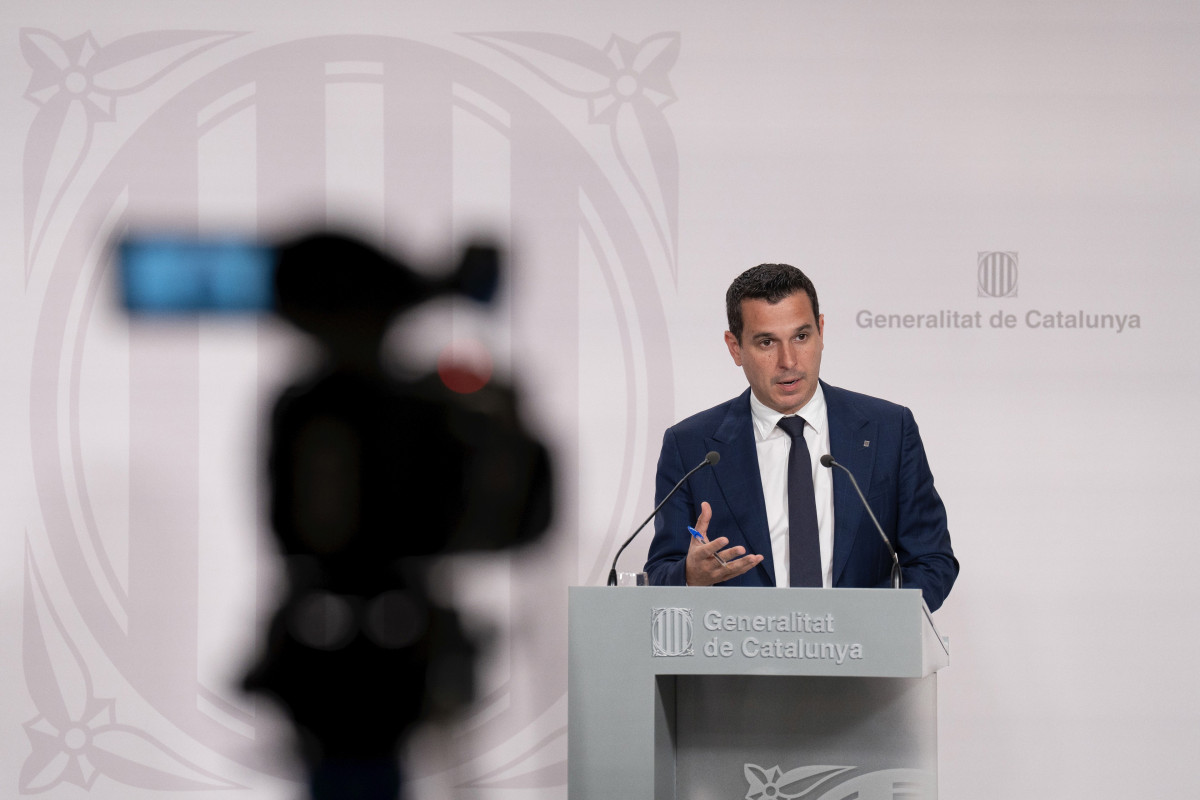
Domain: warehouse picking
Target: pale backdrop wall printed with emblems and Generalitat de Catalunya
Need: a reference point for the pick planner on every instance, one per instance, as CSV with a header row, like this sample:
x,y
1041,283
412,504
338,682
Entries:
x,y
634,158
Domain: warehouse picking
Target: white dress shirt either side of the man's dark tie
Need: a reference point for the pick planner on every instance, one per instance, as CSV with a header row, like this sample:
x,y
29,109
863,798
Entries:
x,y
775,447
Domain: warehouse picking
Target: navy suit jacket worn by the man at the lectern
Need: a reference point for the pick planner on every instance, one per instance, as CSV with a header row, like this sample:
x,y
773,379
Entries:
x,y
874,440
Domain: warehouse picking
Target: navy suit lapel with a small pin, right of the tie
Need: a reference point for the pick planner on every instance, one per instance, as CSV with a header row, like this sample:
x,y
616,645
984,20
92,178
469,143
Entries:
x,y
851,435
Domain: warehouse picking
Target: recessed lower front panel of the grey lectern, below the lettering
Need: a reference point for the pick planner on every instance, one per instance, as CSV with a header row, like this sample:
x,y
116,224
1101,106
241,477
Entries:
x,y
746,736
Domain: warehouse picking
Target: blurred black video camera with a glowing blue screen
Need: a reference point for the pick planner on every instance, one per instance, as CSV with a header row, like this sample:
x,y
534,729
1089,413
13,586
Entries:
x,y
370,478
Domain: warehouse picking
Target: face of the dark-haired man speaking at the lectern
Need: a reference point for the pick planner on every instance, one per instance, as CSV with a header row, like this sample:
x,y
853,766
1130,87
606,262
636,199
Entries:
x,y
781,351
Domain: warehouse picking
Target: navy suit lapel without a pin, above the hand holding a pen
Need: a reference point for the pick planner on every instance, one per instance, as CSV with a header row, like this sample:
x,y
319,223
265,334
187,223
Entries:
x,y
737,477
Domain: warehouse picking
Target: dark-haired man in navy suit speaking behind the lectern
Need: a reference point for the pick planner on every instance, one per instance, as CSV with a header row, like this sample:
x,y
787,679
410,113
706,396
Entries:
x,y
749,502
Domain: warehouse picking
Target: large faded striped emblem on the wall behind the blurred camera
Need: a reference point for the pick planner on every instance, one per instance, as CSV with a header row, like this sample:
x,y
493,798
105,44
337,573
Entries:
x,y
128,585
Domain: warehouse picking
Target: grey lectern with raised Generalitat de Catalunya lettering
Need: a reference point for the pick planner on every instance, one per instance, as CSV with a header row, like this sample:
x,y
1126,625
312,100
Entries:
x,y
721,694
